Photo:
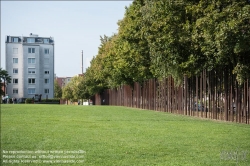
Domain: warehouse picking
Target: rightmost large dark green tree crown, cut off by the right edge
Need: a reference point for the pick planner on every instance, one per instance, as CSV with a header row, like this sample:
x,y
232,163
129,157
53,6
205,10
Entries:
x,y
221,33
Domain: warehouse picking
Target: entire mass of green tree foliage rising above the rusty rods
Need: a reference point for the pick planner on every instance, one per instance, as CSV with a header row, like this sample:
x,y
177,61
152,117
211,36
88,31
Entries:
x,y
156,39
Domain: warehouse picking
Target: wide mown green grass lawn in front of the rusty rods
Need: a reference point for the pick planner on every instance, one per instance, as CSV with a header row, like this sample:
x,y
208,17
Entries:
x,y
111,135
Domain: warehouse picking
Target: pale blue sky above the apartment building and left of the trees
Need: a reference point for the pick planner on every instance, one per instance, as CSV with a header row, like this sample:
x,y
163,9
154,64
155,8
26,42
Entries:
x,y
76,26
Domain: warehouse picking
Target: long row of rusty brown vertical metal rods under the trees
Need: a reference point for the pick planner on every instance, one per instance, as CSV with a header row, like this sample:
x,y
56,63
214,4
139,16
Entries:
x,y
213,95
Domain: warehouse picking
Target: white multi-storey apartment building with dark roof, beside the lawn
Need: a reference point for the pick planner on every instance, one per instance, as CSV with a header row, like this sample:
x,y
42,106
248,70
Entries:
x,y
30,63
